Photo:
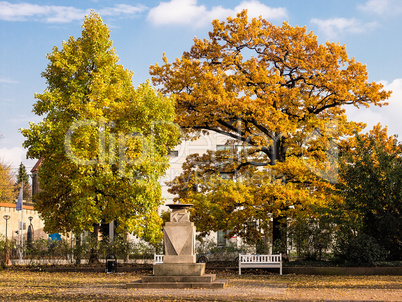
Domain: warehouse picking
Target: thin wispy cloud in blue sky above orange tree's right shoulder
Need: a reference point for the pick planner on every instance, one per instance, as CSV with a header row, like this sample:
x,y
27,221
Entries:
x,y
333,27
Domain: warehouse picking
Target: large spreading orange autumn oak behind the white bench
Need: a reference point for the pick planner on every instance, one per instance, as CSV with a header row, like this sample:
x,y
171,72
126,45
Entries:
x,y
279,97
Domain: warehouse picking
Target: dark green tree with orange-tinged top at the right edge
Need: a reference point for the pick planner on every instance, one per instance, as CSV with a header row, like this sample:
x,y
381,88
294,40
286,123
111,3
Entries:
x,y
371,186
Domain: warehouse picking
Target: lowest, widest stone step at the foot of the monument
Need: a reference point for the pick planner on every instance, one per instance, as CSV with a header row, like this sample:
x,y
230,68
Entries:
x,y
219,283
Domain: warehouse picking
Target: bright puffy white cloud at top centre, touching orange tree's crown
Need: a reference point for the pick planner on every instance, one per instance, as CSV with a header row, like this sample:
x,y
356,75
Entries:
x,y
188,12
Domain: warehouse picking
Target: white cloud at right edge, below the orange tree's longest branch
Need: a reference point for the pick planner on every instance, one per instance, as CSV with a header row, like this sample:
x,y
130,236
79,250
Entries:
x,y
386,115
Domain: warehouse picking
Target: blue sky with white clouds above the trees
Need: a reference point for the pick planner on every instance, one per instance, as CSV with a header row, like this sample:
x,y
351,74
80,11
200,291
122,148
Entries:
x,y
143,30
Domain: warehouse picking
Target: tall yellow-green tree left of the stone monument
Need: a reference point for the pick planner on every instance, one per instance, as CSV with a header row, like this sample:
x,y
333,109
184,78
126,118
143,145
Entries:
x,y
104,144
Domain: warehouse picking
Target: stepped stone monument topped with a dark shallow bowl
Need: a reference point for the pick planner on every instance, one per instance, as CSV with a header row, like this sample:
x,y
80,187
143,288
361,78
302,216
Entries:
x,y
179,268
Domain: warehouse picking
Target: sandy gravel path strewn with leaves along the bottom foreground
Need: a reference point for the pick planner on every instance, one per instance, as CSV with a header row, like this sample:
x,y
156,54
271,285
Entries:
x,y
238,290
